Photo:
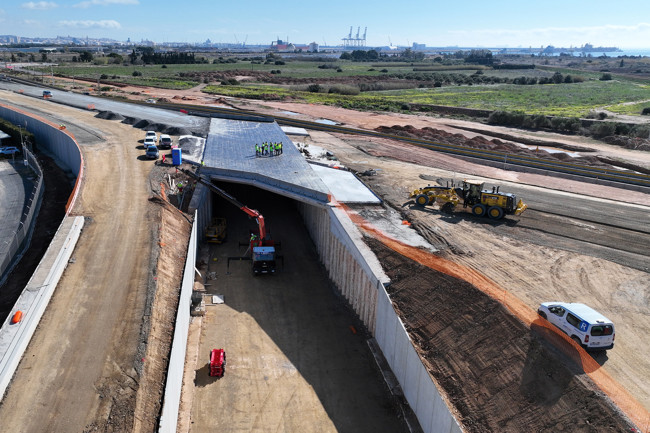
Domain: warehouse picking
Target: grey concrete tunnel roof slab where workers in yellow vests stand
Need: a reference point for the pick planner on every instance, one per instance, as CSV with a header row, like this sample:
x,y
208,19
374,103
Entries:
x,y
229,155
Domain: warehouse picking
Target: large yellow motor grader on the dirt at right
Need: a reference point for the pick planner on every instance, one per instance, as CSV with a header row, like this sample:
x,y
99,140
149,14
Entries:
x,y
493,204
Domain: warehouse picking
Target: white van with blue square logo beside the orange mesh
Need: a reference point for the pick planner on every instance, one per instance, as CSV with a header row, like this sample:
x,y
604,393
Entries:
x,y
583,324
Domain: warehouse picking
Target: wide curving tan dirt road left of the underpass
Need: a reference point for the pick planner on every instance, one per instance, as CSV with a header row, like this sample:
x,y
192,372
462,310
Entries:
x,y
87,372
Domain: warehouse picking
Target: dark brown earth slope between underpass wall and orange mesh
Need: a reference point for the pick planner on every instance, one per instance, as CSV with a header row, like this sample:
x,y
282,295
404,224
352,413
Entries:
x,y
497,374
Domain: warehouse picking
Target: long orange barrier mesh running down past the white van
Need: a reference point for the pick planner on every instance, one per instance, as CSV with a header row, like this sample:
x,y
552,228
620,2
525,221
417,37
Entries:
x,y
638,414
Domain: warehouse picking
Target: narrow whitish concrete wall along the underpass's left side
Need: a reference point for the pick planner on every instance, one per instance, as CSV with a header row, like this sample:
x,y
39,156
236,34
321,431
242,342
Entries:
x,y
174,384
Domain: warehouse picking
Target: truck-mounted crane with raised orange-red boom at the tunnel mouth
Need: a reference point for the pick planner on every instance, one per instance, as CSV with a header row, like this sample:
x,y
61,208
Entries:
x,y
260,245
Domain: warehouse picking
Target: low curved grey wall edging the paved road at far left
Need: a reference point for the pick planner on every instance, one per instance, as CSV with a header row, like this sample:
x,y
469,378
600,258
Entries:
x,y
22,237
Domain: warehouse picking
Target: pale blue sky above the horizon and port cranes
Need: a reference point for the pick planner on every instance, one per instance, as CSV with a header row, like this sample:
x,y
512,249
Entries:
x,y
622,23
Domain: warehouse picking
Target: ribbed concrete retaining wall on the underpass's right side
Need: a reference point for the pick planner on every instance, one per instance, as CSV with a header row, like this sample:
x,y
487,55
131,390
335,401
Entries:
x,y
359,277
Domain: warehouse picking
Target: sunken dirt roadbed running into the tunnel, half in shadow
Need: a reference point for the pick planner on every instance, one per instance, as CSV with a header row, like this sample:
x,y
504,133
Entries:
x,y
294,364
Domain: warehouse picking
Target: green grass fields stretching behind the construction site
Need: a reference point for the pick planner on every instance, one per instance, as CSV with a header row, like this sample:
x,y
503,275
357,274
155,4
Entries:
x,y
621,95
